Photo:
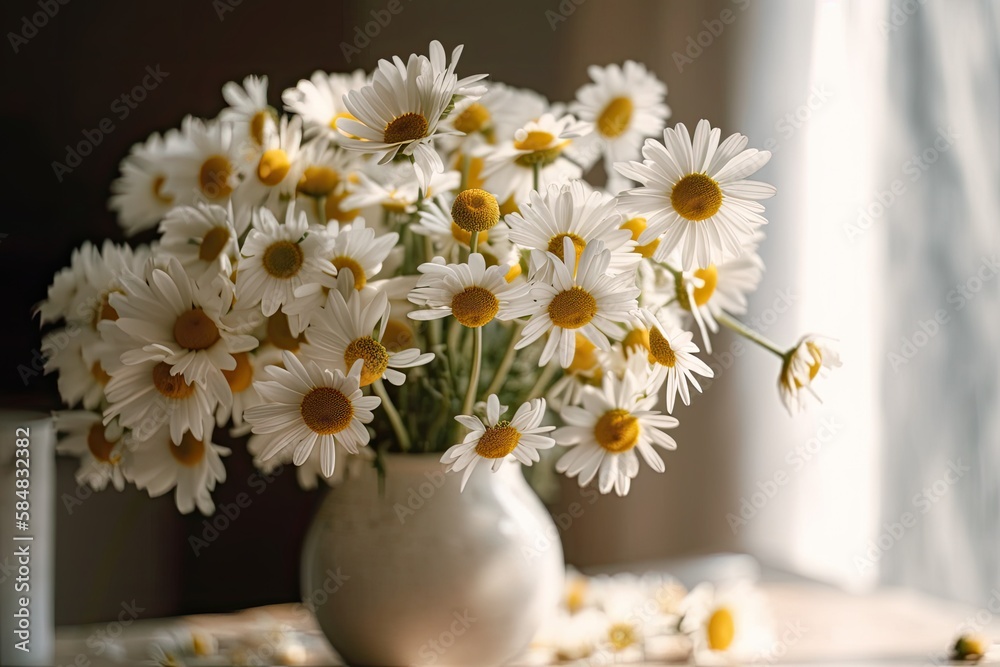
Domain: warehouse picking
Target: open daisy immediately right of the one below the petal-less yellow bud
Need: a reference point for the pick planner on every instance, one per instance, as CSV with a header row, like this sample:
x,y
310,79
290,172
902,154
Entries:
x,y
590,302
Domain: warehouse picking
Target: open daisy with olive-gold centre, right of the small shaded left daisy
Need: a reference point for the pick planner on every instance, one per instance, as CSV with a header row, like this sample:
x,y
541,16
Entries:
x,y
280,258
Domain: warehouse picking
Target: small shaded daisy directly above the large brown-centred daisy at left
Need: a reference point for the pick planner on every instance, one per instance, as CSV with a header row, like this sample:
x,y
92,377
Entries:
x,y
202,238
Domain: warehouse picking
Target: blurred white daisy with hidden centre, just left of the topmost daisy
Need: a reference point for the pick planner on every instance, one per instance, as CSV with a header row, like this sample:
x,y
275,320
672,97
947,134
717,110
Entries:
x,y
320,101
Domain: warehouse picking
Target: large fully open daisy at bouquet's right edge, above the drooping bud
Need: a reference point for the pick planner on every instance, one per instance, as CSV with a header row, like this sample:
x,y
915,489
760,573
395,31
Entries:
x,y
695,195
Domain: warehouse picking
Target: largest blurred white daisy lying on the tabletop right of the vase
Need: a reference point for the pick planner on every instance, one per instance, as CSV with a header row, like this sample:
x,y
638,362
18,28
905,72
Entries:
x,y
727,624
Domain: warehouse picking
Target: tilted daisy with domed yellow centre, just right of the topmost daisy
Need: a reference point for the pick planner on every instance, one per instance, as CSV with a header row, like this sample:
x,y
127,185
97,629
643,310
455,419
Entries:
x,y
508,169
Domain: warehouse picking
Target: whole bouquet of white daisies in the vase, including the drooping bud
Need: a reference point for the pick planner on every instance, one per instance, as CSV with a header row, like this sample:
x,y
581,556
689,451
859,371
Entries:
x,y
406,260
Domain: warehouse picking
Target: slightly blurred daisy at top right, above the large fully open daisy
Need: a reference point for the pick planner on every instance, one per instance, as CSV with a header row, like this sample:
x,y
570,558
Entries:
x,y
624,104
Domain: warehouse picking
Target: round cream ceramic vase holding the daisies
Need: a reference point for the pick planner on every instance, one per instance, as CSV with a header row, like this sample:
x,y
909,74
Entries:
x,y
421,573
